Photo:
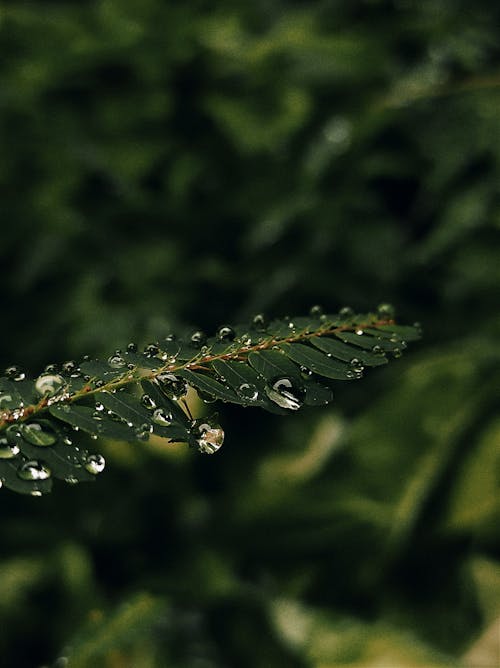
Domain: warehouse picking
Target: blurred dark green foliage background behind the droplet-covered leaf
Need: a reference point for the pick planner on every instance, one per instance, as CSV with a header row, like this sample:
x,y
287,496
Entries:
x,y
189,164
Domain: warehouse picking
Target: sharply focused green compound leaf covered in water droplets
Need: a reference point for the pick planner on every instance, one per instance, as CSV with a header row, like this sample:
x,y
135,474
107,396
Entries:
x,y
278,366
